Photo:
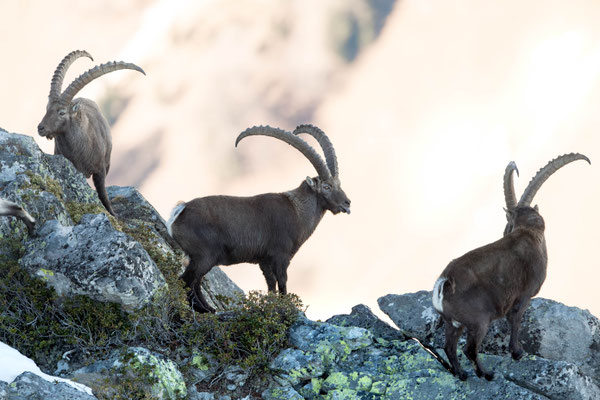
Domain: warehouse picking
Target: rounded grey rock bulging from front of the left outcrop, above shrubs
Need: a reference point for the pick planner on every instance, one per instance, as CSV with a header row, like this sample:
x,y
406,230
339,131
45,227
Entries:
x,y
95,260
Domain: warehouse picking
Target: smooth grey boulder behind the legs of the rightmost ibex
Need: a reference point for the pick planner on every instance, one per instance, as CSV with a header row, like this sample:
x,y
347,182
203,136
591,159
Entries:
x,y
549,329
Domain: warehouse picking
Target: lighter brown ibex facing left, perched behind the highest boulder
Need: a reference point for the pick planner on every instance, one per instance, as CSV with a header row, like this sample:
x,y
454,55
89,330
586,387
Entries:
x,y
81,132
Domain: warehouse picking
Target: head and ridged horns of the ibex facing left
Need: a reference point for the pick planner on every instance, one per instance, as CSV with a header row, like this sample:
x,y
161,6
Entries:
x,y
61,108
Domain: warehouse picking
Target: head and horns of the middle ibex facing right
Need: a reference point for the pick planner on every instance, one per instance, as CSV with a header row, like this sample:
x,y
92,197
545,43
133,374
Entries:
x,y
327,185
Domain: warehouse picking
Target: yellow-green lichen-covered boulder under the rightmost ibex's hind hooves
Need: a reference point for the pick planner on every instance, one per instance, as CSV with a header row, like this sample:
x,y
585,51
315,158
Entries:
x,y
334,362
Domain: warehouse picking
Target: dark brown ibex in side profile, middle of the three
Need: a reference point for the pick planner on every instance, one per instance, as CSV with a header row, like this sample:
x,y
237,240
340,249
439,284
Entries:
x,y
267,229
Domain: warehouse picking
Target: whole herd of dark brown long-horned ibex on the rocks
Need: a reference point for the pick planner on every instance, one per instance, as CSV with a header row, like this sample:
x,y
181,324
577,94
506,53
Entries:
x,y
487,283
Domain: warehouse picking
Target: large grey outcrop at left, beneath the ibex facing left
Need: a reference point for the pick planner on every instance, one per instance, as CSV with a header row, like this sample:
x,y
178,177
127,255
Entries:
x,y
121,260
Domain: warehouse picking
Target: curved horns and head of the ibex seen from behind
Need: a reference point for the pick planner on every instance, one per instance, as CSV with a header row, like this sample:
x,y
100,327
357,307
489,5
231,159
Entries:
x,y
534,185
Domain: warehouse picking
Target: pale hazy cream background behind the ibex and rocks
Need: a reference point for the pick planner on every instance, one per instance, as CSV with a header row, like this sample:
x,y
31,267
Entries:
x,y
425,101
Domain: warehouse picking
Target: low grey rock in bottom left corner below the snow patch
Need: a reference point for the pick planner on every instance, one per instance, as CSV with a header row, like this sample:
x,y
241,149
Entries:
x,y
30,386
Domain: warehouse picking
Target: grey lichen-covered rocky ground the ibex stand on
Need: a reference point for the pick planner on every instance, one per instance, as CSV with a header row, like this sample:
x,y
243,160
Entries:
x,y
119,268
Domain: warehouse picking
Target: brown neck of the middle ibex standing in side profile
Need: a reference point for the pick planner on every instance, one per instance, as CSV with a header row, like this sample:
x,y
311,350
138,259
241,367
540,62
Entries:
x,y
308,208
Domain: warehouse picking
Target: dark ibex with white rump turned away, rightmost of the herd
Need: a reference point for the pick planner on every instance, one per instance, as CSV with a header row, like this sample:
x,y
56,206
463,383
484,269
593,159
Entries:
x,y
498,279
